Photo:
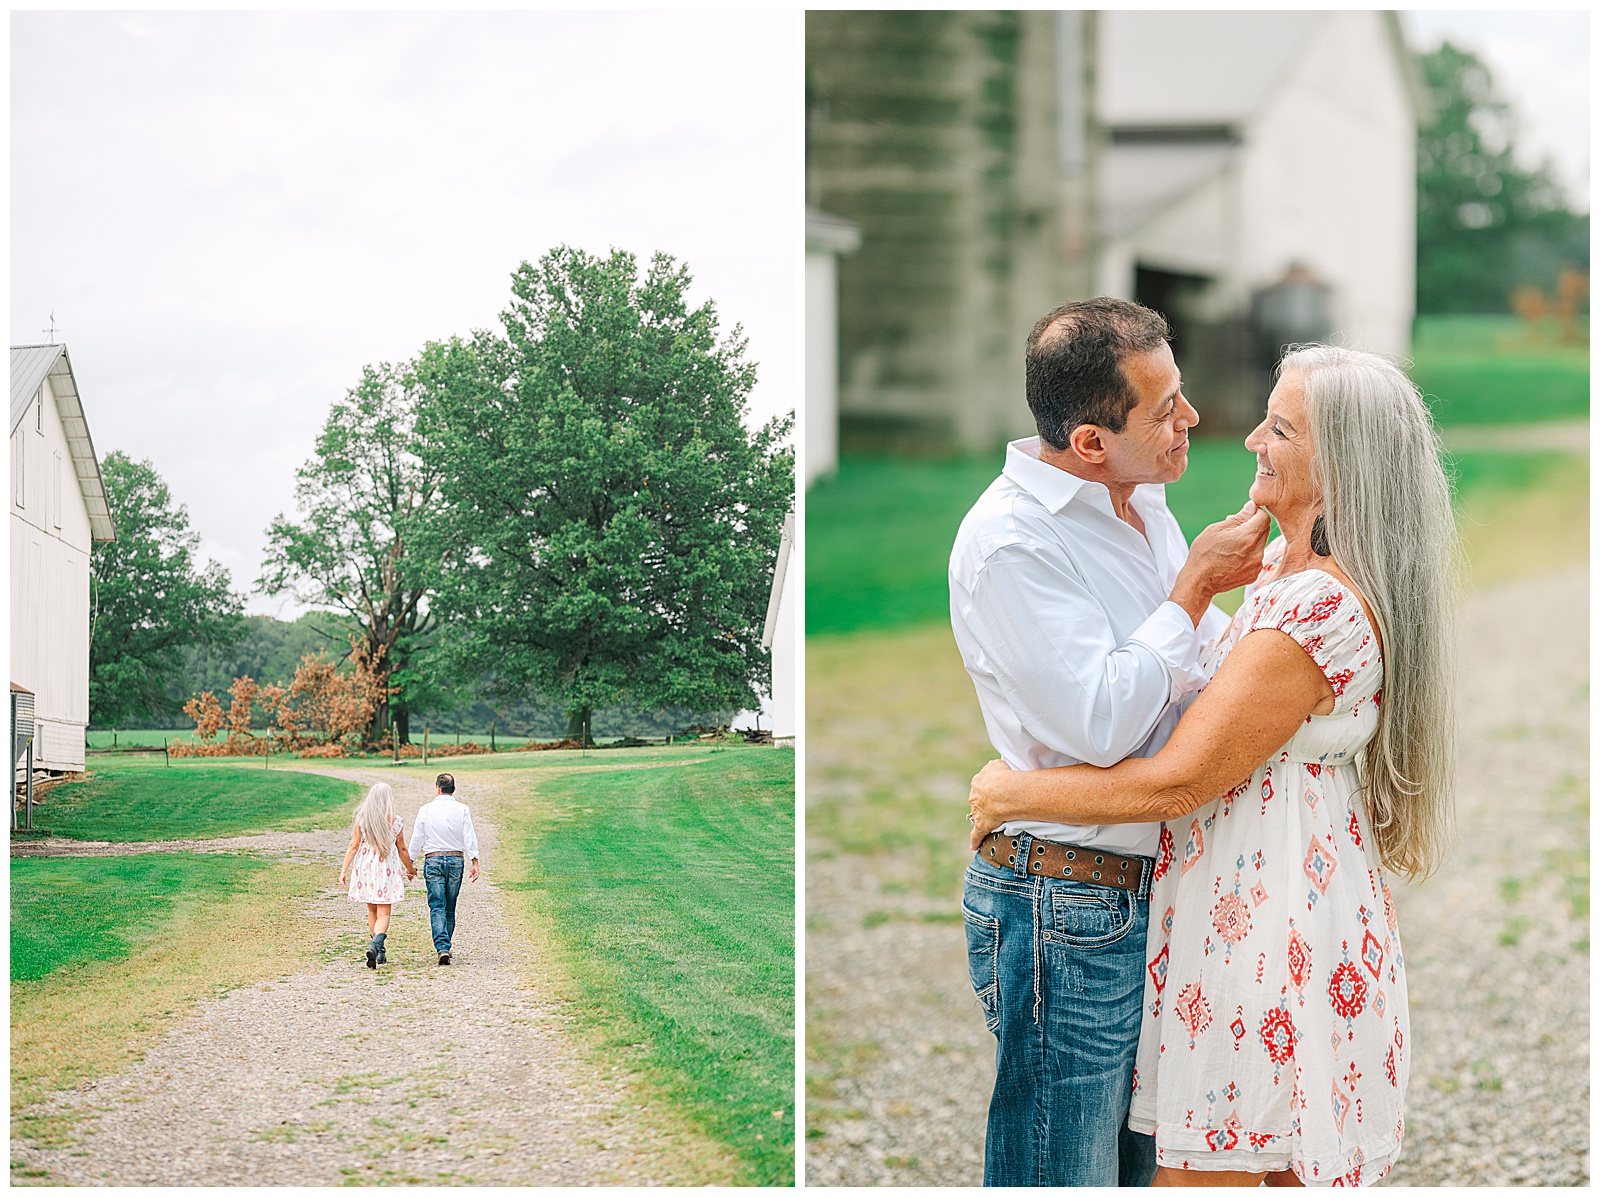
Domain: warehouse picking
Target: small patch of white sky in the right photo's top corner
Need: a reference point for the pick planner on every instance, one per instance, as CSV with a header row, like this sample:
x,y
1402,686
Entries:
x,y
1542,66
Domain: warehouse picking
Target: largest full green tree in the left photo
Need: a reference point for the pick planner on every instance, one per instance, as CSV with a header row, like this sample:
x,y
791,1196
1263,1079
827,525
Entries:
x,y
607,522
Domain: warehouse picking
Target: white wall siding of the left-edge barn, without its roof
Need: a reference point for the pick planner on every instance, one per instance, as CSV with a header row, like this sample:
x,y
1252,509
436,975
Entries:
x,y
50,588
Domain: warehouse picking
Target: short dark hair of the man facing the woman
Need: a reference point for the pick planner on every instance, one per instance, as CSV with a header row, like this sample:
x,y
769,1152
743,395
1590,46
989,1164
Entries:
x,y
1074,364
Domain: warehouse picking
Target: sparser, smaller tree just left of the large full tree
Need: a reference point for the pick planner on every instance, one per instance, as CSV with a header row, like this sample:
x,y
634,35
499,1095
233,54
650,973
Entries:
x,y
361,498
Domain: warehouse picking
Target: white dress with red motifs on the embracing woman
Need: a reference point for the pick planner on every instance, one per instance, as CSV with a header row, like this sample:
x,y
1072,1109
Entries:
x,y
1274,1030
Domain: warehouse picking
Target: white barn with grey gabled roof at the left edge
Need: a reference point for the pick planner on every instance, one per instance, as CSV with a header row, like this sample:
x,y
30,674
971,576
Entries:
x,y
58,510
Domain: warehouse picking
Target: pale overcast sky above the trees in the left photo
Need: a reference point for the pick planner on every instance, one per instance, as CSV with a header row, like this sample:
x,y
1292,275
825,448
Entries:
x,y
230,214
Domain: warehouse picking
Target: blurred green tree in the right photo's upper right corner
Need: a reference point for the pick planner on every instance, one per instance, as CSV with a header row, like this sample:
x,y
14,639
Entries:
x,y
1484,225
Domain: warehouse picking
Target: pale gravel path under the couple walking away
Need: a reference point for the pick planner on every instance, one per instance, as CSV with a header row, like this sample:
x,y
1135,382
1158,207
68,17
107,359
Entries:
x,y
412,1075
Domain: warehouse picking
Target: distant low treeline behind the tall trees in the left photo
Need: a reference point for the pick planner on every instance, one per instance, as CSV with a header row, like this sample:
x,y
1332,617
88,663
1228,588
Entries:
x,y
271,649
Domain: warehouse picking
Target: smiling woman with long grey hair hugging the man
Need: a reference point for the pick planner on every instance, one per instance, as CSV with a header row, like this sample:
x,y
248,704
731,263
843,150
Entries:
x,y
1274,1035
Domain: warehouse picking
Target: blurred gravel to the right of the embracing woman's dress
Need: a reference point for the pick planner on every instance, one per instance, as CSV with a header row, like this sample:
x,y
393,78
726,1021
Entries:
x,y
1498,943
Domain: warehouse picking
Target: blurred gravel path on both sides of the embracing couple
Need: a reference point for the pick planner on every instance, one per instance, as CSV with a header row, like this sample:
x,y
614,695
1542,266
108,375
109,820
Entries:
x,y
1497,950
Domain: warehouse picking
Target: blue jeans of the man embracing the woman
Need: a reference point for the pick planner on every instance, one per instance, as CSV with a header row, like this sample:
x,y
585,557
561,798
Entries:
x,y
1058,969
